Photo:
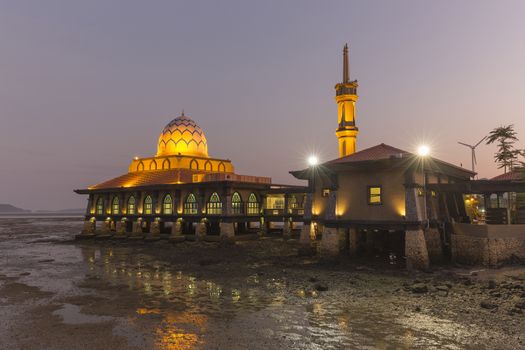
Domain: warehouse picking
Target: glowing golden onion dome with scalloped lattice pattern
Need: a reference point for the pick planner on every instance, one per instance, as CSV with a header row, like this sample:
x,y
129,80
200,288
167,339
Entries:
x,y
182,136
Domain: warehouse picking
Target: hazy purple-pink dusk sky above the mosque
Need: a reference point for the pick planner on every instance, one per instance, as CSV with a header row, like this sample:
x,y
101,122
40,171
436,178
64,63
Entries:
x,y
87,85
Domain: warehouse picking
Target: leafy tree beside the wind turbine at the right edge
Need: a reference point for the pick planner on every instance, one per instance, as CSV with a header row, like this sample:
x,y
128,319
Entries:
x,y
506,155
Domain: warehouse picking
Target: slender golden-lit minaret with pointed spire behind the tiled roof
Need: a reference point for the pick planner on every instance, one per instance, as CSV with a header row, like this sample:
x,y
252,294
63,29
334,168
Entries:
x,y
346,97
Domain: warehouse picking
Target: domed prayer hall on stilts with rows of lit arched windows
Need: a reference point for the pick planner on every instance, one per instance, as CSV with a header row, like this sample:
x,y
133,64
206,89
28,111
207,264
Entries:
x,y
186,193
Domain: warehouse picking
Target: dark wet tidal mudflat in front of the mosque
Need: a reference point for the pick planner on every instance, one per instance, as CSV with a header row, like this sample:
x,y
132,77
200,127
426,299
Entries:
x,y
56,293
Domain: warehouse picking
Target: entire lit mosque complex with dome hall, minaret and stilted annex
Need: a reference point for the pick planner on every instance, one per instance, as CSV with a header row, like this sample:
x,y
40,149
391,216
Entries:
x,y
376,200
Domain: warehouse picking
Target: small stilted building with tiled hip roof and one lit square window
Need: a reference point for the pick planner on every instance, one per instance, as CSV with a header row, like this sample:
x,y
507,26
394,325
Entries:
x,y
377,200
